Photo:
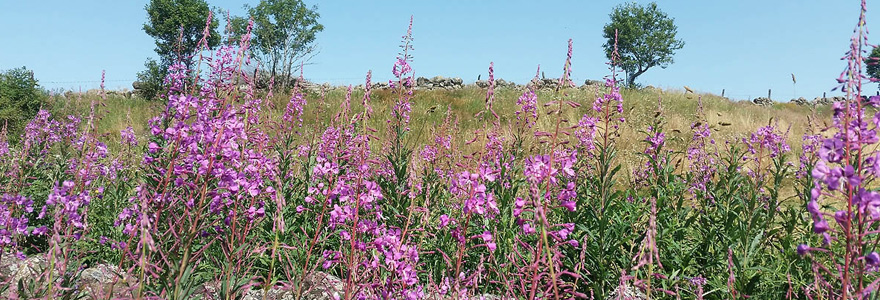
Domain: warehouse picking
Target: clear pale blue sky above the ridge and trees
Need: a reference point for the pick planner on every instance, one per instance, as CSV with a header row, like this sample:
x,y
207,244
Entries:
x,y
744,46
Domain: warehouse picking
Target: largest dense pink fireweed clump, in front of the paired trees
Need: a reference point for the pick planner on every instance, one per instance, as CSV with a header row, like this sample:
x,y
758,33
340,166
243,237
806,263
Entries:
x,y
204,155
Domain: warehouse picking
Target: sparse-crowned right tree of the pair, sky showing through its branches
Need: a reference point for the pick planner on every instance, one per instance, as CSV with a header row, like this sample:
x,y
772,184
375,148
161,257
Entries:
x,y
283,35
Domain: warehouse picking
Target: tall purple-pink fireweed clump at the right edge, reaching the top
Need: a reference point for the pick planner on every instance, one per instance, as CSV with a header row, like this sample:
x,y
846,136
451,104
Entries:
x,y
840,175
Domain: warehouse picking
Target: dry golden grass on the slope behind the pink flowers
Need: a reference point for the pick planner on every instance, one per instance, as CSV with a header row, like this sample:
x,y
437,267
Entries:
x,y
731,121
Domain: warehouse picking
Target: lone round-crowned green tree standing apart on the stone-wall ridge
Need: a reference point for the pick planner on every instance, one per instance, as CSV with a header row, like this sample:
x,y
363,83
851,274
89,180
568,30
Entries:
x,y
645,38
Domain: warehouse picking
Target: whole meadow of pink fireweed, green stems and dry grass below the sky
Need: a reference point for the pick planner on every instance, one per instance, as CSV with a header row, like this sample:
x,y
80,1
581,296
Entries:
x,y
224,194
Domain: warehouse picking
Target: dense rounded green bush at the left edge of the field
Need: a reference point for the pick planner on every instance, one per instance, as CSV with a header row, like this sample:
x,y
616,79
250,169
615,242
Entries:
x,y
20,99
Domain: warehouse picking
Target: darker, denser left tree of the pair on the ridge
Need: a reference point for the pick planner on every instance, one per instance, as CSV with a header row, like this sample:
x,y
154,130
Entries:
x,y
178,27
